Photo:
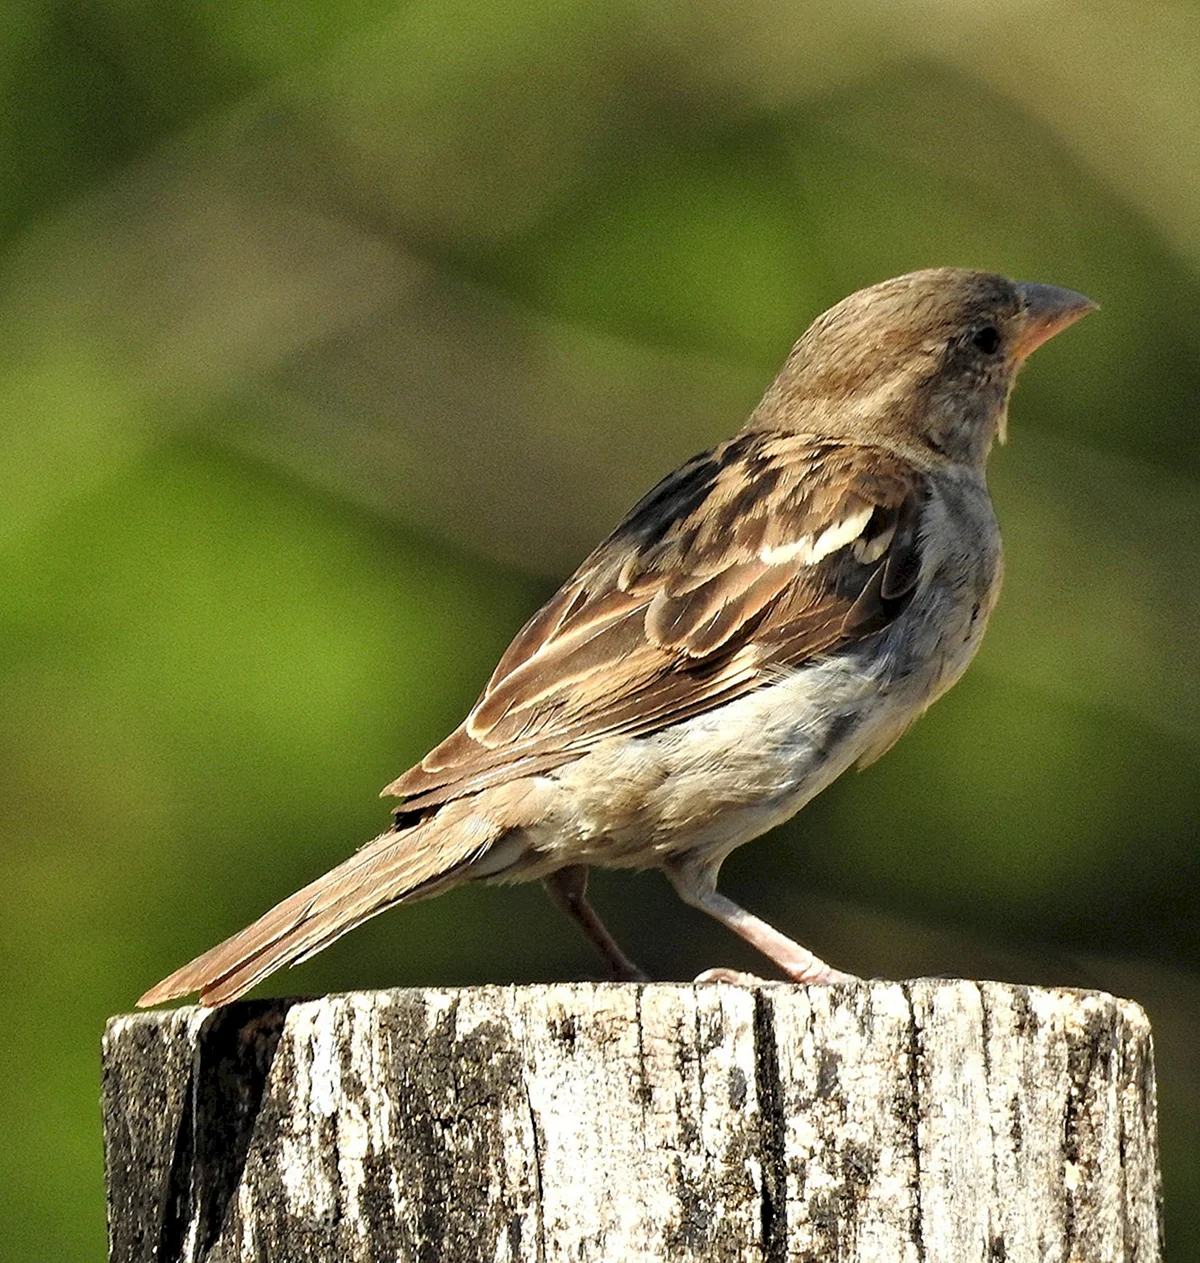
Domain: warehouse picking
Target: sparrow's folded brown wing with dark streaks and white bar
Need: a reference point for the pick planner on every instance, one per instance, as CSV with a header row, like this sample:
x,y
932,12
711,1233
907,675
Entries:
x,y
756,556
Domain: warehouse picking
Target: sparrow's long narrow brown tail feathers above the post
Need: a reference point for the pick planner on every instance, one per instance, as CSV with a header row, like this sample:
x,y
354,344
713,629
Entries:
x,y
399,865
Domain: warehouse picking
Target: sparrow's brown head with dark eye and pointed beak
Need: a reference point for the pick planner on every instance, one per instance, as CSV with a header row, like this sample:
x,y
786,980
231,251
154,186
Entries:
x,y
924,363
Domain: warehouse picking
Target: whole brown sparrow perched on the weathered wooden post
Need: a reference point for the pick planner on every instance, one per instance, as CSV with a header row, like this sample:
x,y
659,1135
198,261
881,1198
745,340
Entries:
x,y
776,611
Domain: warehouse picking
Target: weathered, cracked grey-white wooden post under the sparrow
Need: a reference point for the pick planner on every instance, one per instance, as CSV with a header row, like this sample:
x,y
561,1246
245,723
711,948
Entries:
x,y
930,1122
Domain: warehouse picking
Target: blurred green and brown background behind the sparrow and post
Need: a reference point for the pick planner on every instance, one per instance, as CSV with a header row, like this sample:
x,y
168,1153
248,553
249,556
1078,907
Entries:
x,y
334,334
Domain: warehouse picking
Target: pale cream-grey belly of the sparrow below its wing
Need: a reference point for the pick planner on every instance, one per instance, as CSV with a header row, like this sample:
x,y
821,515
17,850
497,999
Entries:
x,y
722,779
